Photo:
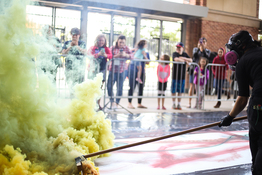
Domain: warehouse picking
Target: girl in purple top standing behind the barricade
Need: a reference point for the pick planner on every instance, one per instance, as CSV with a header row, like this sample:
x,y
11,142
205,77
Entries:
x,y
203,77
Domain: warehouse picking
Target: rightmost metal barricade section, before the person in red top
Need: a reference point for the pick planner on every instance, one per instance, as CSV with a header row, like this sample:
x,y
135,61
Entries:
x,y
221,84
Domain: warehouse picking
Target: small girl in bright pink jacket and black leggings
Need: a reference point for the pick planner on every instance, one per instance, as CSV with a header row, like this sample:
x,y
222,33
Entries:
x,y
163,72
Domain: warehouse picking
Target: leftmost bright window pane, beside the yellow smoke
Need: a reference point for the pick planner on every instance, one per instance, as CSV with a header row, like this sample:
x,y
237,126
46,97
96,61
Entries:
x,y
37,16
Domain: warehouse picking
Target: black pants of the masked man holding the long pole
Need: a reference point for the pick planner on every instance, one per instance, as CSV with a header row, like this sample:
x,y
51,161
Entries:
x,y
255,133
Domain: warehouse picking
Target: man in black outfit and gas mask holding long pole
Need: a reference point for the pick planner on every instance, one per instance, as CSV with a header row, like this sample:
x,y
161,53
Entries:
x,y
246,57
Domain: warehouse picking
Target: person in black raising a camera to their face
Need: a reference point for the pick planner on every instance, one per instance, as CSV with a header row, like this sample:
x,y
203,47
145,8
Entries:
x,y
198,52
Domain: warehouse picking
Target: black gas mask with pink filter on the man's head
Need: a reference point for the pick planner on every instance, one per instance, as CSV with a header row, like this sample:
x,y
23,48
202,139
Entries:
x,y
234,48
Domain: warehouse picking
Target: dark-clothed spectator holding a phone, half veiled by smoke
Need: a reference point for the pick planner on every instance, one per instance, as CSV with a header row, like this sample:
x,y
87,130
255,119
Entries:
x,y
75,50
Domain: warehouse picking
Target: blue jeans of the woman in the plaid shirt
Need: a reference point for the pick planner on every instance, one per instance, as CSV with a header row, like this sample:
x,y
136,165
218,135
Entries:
x,y
119,79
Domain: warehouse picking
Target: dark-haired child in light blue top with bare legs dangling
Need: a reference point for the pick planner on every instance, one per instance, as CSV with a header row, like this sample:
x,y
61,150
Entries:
x,y
140,54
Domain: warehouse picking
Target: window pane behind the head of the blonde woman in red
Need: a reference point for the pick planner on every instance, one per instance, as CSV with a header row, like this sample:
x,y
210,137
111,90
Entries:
x,y
98,23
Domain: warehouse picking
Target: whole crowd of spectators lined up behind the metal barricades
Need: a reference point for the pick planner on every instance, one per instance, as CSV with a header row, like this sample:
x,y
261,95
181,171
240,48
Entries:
x,y
118,69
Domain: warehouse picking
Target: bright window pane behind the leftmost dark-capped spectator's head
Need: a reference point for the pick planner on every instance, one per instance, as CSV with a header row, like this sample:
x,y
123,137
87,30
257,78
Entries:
x,y
65,21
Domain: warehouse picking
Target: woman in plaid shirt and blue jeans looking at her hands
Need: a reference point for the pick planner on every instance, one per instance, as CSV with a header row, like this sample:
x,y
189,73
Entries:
x,y
117,66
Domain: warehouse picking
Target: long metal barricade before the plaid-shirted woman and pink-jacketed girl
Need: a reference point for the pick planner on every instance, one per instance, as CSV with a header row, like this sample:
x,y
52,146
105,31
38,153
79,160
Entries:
x,y
126,82
